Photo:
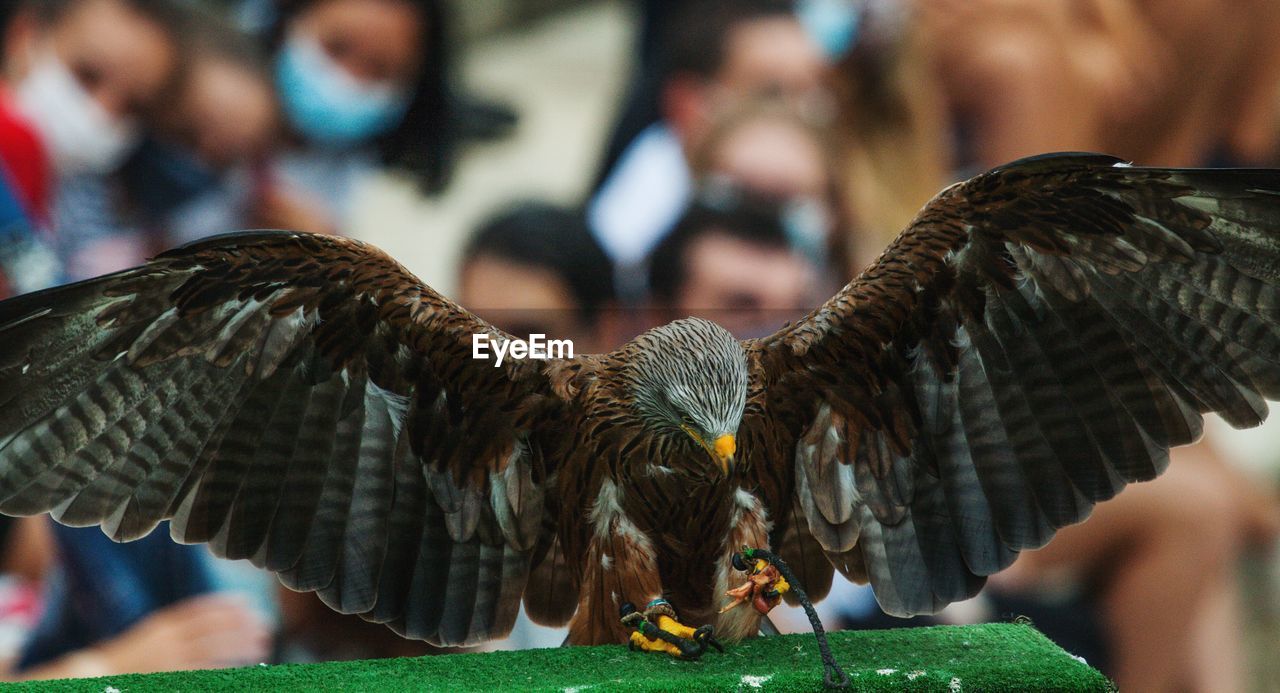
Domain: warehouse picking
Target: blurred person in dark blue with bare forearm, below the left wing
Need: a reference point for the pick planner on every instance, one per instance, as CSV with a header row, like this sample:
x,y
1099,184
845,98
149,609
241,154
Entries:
x,y
131,608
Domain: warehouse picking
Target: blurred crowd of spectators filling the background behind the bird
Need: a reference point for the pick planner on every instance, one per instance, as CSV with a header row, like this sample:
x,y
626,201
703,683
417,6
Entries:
x,y
588,170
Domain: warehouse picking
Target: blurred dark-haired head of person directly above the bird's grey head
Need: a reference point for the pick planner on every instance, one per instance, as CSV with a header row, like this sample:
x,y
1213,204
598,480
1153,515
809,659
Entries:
x,y
730,259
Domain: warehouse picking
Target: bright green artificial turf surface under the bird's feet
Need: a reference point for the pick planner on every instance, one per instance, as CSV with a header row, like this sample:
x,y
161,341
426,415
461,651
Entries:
x,y
979,658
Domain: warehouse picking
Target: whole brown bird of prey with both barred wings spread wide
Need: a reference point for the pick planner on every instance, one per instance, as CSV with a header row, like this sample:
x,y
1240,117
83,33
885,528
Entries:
x,y
1037,339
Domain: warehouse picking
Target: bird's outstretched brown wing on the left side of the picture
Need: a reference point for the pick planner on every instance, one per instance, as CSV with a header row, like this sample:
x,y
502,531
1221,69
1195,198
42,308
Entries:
x,y
298,400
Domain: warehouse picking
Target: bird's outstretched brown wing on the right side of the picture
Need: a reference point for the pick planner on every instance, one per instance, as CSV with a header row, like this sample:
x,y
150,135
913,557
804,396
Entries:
x,y
1039,338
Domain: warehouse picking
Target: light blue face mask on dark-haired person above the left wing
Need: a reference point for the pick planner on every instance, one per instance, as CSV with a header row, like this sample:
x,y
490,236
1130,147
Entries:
x,y
326,103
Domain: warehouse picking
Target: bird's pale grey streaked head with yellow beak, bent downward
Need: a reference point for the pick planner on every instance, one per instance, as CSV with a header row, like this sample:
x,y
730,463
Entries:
x,y
689,380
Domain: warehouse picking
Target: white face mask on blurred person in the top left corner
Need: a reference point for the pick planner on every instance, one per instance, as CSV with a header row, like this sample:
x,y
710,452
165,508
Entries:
x,y
79,134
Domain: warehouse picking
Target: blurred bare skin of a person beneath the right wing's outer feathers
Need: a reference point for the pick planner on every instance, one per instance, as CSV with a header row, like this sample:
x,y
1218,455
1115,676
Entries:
x,y
1169,612
